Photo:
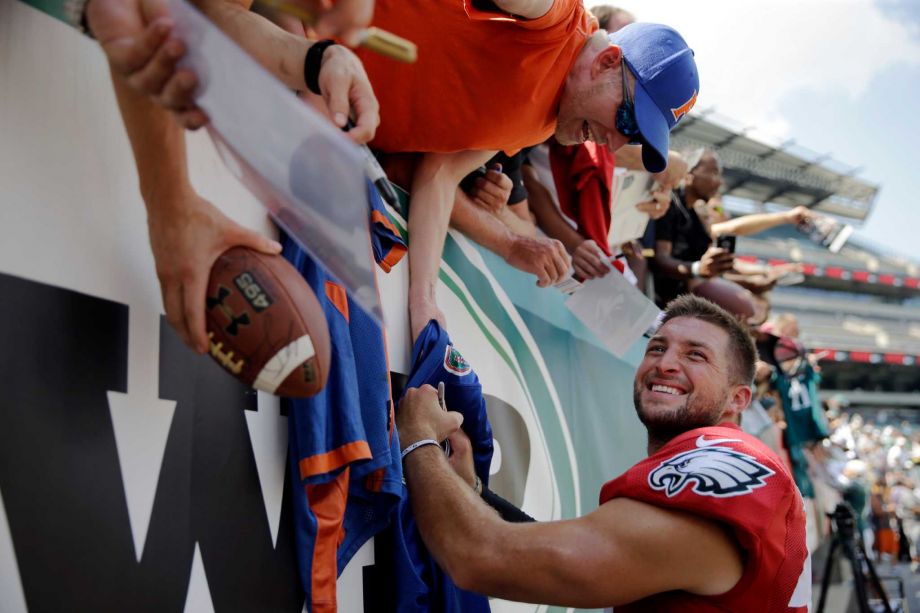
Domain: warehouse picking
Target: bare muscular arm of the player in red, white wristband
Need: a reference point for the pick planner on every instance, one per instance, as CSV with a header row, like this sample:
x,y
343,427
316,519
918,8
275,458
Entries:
x,y
623,551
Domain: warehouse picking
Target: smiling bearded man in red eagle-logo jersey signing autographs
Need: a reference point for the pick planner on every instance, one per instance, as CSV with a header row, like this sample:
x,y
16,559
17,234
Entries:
x,y
710,521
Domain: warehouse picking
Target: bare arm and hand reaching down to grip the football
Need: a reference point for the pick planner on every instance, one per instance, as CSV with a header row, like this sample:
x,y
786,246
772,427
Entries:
x,y
187,233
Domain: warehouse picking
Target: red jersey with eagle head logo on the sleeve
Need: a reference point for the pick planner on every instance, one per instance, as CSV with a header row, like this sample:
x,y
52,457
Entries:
x,y
730,477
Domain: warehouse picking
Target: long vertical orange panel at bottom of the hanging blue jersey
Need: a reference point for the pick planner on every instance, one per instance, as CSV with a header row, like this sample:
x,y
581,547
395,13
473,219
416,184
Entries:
x,y
327,502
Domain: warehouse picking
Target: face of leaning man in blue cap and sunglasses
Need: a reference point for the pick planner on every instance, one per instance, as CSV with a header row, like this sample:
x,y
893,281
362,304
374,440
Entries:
x,y
592,94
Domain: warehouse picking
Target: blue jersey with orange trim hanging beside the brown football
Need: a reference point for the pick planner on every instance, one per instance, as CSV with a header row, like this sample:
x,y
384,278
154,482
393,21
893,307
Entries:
x,y
343,448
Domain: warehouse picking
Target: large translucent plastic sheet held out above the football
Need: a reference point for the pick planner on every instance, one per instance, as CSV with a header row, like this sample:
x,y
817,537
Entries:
x,y
307,174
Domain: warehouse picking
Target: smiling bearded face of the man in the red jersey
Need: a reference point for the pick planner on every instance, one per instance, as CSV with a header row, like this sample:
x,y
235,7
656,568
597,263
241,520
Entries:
x,y
684,380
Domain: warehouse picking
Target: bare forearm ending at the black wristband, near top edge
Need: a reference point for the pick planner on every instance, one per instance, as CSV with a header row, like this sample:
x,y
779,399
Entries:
x,y
278,51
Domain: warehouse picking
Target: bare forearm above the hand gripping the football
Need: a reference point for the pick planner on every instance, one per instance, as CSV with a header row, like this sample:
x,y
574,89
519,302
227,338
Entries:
x,y
158,144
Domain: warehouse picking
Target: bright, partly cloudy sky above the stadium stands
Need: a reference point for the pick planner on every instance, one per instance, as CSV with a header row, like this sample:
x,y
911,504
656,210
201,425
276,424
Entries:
x,y
838,76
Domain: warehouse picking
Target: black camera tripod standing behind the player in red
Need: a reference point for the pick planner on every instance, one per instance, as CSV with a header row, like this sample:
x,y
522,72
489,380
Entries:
x,y
845,537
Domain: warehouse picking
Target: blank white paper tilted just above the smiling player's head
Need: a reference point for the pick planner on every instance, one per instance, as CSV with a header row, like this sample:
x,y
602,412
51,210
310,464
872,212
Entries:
x,y
616,312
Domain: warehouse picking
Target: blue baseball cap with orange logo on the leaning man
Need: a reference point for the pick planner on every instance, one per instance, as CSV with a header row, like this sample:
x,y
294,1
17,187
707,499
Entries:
x,y
667,84
